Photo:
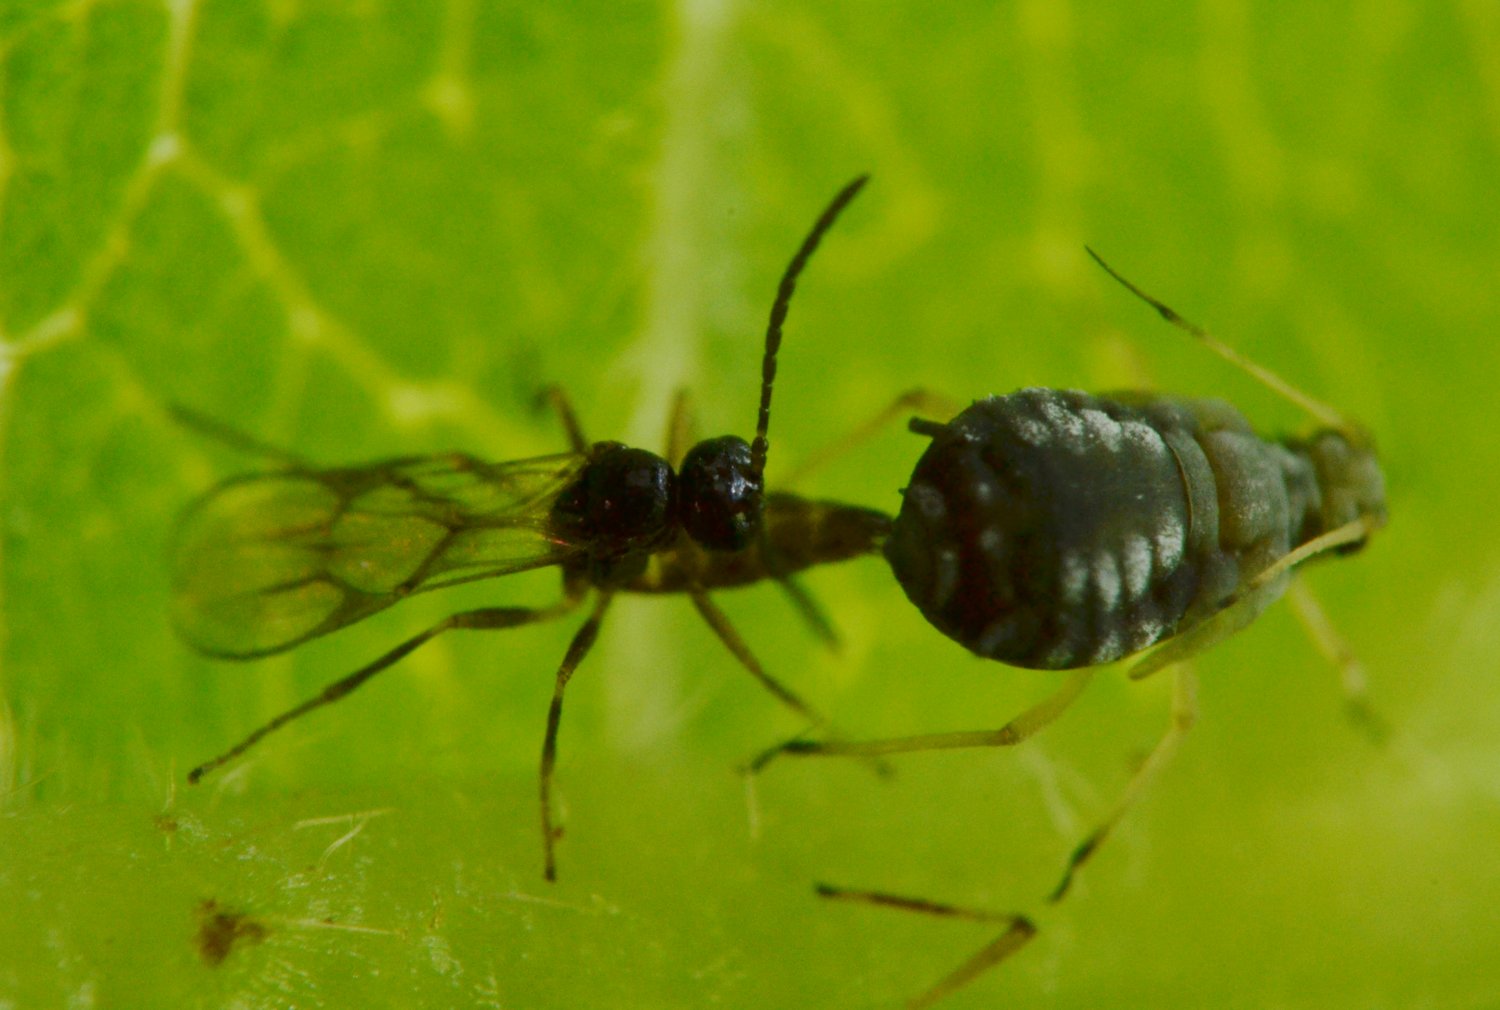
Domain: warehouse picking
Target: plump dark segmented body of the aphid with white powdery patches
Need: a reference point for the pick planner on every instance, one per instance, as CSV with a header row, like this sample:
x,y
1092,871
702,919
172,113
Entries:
x,y
1052,529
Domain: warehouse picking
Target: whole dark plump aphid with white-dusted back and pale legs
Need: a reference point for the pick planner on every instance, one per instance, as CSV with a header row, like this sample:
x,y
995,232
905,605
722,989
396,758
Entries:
x,y
1060,531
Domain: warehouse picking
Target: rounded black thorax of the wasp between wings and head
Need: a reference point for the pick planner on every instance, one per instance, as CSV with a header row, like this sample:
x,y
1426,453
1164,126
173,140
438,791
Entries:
x,y
623,502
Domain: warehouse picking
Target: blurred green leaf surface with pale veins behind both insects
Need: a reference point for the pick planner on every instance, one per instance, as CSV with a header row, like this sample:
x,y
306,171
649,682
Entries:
x,y
377,227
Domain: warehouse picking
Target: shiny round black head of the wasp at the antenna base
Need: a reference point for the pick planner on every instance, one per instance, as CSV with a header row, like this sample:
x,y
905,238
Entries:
x,y
721,496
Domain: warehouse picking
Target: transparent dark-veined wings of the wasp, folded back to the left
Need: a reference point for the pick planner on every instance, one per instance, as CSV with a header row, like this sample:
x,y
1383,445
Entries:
x,y
266,562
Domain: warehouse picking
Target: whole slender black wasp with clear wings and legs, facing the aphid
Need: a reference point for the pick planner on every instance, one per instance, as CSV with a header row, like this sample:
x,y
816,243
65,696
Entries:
x,y
268,562
